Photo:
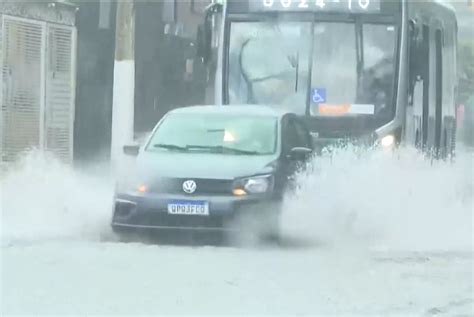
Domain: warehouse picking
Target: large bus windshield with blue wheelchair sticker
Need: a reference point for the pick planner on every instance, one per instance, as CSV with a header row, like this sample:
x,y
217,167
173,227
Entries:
x,y
350,71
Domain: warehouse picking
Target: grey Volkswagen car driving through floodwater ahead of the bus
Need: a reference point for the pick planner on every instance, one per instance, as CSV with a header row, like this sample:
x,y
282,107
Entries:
x,y
213,168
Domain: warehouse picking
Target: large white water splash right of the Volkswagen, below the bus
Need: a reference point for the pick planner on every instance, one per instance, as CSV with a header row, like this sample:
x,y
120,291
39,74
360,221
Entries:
x,y
387,201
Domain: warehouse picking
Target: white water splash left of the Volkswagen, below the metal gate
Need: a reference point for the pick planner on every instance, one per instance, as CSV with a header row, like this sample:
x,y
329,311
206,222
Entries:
x,y
43,199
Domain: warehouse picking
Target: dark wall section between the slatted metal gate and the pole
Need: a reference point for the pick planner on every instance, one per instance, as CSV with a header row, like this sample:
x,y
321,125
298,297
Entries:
x,y
96,50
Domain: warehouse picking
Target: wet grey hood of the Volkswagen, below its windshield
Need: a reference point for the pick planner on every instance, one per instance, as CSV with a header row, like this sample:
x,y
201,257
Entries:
x,y
202,165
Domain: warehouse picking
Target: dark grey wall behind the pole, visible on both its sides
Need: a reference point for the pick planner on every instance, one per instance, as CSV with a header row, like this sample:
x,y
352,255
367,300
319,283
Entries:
x,y
161,82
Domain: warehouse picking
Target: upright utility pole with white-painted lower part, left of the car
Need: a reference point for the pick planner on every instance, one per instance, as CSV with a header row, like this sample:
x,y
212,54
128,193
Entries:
x,y
124,80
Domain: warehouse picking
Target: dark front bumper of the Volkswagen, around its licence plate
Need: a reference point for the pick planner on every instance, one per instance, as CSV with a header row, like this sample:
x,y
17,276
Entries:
x,y
150,211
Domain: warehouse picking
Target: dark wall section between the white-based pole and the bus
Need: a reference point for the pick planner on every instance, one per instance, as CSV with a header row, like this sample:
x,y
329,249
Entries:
x,y
162,51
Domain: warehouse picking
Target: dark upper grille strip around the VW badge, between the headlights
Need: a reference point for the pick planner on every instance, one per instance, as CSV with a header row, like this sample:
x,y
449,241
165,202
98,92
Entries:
x,y
203,186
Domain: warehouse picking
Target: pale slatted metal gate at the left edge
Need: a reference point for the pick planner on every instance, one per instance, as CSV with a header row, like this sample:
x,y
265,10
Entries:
x,y
37,95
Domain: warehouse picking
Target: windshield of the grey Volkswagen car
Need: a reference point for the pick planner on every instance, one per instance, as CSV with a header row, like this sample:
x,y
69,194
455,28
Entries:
x,y
216,133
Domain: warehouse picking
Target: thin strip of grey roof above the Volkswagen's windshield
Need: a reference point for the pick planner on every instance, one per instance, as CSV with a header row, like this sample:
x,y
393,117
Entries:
x,y
252,110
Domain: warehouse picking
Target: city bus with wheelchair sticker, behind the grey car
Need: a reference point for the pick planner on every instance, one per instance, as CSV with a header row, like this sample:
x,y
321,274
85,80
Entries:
x,y
365,71
